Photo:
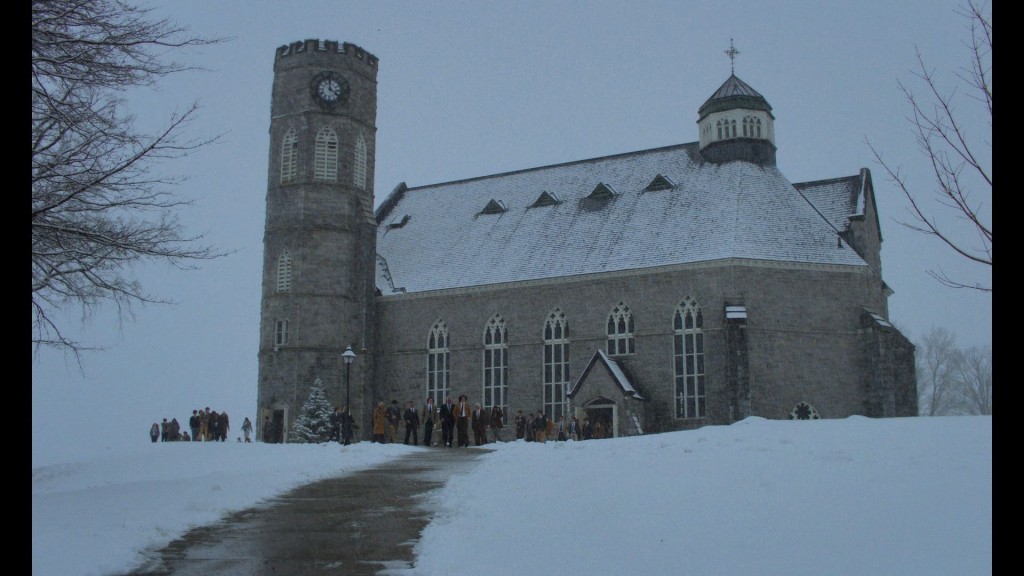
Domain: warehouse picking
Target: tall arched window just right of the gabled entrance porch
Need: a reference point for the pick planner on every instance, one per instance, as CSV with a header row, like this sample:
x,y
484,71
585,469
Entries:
x,y
689,354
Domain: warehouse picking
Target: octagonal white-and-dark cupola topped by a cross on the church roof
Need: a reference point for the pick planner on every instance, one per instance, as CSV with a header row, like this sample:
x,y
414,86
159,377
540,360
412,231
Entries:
x,y
736,124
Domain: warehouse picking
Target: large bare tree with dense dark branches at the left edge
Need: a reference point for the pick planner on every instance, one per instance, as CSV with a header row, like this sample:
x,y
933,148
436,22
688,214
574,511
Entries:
x,y
99,205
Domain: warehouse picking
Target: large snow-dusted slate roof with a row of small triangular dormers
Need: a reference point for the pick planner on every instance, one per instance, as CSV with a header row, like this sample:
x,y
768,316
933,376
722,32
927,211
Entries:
x,y
714,212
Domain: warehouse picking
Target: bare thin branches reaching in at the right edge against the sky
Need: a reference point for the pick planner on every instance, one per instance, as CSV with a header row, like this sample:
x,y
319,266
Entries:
x,y
962,167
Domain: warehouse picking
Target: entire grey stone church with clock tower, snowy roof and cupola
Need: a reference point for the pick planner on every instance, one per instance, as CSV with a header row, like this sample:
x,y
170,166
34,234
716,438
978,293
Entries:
x,y
654,291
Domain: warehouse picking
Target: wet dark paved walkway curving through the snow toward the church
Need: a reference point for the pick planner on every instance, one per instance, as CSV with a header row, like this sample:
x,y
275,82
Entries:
x,y
361,524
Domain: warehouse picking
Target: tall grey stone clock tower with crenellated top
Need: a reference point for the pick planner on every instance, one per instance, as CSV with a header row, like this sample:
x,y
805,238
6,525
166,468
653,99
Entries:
x,y
320,236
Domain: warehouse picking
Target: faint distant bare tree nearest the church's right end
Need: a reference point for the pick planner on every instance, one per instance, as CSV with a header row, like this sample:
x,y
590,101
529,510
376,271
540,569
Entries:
x,y
938,366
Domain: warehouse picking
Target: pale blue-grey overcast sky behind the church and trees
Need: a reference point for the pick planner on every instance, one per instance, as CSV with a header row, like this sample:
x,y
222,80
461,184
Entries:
x,y
475,89
